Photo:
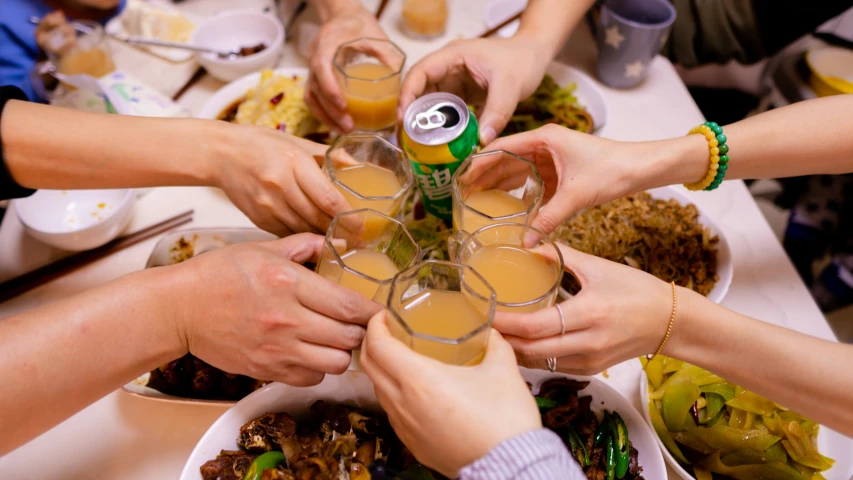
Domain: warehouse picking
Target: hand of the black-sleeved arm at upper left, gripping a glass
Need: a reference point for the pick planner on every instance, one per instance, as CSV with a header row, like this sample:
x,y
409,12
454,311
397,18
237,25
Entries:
x,y
275,179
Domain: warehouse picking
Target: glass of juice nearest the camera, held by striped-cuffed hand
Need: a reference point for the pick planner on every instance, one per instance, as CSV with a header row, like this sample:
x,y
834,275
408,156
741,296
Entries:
x,y
442,310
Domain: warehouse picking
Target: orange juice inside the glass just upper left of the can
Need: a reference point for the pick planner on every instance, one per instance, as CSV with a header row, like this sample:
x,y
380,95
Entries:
x,y
372,91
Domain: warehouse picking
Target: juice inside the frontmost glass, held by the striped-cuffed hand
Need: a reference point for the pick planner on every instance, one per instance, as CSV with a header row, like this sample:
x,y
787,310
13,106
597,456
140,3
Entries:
x,y
449,315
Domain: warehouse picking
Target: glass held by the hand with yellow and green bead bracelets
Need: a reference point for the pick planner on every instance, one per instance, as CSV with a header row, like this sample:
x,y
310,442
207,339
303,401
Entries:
x,y
495,187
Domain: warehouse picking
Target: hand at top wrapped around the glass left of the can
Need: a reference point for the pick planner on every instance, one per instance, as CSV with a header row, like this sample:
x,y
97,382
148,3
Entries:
x,y
323,95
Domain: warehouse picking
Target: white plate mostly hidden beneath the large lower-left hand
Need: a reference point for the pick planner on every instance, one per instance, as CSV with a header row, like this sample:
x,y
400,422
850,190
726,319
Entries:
x,y
203,239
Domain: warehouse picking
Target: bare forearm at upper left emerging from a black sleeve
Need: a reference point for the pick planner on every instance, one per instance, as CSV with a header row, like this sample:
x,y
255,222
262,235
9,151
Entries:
x,y
57,148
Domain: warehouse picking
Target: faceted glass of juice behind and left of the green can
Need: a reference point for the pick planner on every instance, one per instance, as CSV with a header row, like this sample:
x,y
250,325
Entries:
x,y
369,73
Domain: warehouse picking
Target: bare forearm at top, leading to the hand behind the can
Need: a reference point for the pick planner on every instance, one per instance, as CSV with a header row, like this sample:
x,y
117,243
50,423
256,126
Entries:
x,y
548,23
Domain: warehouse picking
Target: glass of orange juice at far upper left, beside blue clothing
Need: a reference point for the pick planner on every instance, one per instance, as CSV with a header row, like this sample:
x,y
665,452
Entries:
x,y
86,52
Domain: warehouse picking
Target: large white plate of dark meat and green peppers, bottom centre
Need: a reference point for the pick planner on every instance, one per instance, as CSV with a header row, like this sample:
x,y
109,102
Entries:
x,y
355,388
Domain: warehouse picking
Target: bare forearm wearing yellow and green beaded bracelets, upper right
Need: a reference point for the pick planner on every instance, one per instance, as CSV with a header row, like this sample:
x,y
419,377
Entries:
x,y
806,138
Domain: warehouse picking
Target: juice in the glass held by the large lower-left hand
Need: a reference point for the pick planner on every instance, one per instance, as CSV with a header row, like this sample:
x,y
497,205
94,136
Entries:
x,y
366,262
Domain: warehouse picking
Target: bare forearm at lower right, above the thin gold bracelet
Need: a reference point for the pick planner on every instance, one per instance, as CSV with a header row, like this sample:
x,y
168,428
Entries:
x,y
790,368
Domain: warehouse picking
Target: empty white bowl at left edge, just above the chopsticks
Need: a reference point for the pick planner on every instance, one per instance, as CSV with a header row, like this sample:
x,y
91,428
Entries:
x,y
75,220
